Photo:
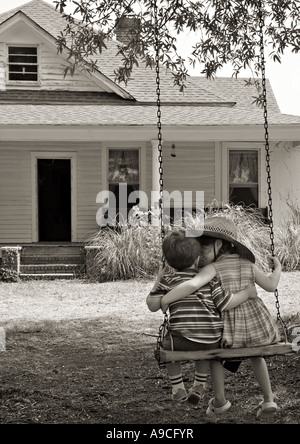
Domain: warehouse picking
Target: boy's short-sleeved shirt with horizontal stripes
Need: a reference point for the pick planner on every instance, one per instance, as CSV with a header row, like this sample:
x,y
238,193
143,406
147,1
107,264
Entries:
x,y
196,317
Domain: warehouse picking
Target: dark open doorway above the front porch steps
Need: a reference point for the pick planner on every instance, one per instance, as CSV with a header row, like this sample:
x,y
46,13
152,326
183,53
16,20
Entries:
x,y
54,200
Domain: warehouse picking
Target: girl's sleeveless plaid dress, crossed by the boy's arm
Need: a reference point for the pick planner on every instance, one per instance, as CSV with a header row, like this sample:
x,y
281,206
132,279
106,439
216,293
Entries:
x,y
249,324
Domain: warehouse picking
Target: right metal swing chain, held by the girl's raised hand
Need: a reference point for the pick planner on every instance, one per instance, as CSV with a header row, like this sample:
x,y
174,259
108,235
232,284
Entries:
x,y
267,150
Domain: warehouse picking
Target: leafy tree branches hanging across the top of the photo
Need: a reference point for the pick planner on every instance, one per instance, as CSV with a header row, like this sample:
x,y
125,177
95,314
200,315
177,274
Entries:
x,y
225,32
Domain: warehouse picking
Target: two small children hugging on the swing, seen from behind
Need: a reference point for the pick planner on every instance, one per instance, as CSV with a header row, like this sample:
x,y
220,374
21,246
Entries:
x,y
216,306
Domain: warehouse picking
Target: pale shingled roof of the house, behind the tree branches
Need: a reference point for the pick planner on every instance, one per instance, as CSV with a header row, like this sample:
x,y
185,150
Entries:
x,y
224,101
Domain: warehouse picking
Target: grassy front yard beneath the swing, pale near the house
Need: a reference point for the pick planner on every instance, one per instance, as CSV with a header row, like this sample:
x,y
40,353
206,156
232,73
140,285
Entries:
x,y
80,352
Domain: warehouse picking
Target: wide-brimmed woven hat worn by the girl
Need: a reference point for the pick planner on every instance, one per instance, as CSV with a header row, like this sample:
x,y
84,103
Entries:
x,y
223,228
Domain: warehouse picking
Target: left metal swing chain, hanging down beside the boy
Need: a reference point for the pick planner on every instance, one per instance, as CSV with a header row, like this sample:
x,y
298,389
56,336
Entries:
x,y
159,135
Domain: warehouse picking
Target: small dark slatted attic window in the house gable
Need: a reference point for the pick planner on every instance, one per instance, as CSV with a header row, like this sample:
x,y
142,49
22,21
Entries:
x,y
22,63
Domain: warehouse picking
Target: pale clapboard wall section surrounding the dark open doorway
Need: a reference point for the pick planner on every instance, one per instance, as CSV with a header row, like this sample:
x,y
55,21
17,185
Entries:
x,y
16,201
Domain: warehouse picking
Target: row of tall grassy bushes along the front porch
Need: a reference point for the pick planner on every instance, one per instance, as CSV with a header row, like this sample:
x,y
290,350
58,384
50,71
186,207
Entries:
x,y
133,250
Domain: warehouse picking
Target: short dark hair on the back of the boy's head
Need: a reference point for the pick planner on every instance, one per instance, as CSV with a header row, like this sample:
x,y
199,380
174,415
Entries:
x,y
181,251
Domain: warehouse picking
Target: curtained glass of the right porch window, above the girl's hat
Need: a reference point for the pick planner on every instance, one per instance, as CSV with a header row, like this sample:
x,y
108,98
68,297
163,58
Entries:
x,y
243,177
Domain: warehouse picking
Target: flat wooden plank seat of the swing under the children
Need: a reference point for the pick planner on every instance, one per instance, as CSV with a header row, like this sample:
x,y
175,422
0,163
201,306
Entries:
x,y
281,348
